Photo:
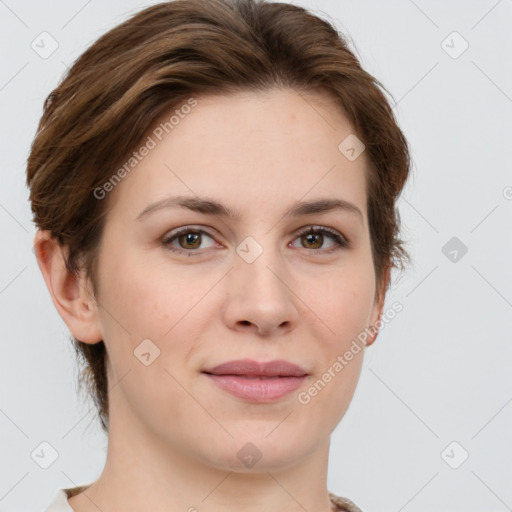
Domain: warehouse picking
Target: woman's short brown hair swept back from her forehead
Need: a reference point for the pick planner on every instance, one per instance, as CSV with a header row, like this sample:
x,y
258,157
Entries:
x,y
154,61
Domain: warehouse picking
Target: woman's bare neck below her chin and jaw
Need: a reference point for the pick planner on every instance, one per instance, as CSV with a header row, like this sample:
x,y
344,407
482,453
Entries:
x,y
144,473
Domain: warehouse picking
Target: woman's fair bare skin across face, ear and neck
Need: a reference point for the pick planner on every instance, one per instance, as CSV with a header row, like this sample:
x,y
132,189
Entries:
x,y
174,435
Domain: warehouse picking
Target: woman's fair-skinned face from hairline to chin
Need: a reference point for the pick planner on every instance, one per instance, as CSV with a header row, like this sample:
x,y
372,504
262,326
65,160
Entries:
x,y
184,289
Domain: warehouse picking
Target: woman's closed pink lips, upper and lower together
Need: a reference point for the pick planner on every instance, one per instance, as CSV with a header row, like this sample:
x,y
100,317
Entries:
x,y
254,381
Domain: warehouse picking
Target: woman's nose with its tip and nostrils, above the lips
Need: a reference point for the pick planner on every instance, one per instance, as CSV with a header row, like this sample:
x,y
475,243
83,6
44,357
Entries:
x,y
260,296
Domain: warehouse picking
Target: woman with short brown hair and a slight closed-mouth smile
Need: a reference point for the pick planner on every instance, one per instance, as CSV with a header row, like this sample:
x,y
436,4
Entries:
x,y
214,185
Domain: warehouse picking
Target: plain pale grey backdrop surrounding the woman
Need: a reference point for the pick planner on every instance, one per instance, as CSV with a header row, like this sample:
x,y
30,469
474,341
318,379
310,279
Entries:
x,y
438,373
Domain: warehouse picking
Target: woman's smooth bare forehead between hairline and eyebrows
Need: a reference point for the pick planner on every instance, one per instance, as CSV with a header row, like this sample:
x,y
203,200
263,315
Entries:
x,y
250,148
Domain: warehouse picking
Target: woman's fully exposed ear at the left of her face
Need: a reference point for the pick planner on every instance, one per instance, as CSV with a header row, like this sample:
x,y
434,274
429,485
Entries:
x,y
71,295
